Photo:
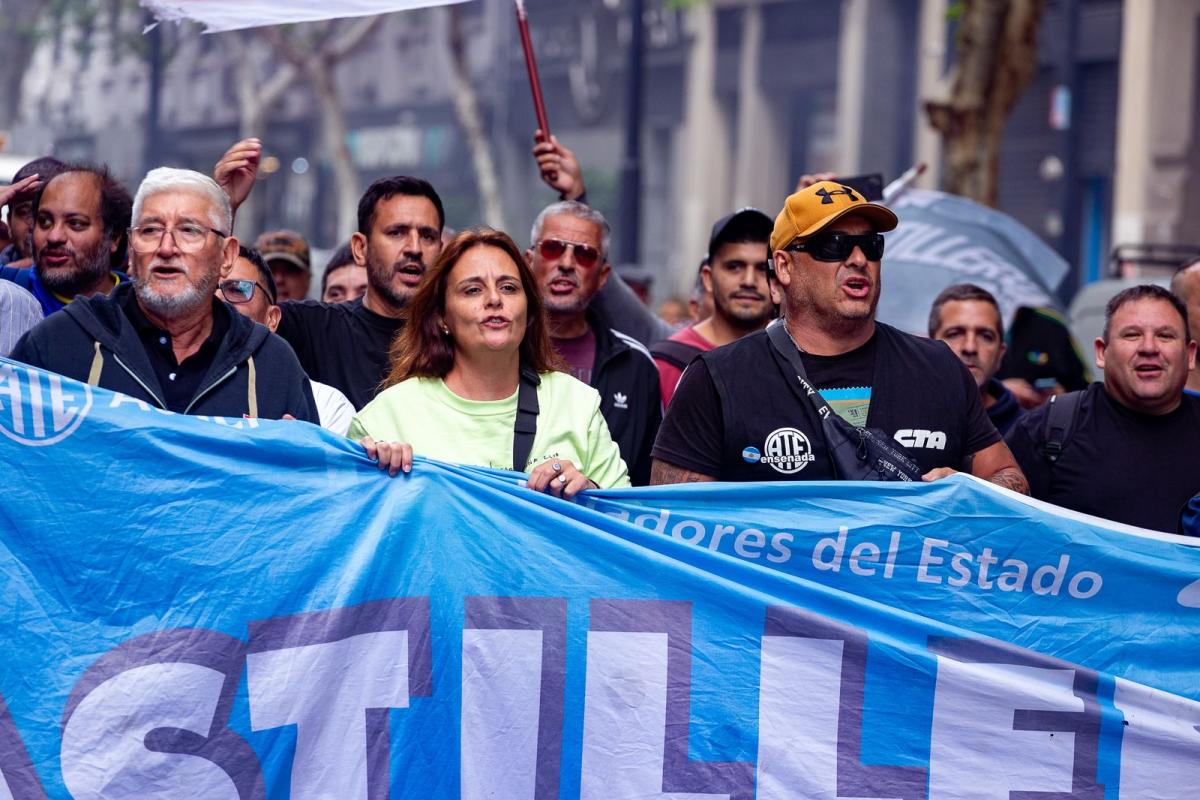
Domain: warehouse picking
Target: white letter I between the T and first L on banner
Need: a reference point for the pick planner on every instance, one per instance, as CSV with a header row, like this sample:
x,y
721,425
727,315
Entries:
x,y
501,703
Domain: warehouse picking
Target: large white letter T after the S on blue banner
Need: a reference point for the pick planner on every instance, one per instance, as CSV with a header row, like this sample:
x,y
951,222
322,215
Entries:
x,y
326,691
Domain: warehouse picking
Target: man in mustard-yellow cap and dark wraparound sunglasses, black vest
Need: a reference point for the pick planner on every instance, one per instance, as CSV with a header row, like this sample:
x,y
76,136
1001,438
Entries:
x,y
745,413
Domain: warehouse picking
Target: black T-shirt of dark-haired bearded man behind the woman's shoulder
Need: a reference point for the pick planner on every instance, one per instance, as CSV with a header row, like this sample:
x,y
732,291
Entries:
x,y
343,345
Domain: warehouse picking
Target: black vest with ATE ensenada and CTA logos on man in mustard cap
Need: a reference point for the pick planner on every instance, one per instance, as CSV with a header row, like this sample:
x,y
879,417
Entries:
x,y
740,414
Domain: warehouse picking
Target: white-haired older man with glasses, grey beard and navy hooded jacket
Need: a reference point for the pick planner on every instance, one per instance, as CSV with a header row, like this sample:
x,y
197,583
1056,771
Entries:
x,y
165,339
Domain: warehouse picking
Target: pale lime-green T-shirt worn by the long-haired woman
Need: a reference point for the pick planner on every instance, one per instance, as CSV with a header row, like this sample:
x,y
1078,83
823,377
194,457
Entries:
x,y
424,413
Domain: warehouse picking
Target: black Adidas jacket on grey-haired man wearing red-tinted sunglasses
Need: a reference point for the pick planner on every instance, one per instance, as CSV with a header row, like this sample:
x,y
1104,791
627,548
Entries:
x,y
628,382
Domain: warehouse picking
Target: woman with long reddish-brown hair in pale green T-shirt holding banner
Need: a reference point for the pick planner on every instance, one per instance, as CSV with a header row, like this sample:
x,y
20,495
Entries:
x,y
476,381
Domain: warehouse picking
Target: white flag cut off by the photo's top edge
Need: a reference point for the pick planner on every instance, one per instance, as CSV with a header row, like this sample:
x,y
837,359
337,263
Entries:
x,y
236,15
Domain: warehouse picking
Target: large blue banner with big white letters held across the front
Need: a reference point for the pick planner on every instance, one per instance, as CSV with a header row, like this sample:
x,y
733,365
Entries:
x,y
200,607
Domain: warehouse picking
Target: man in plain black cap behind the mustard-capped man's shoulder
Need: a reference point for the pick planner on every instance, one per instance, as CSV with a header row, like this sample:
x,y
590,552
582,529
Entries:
x,y
735,274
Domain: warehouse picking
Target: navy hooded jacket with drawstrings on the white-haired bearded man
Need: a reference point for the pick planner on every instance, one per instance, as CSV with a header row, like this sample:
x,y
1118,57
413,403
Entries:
x,y
253,374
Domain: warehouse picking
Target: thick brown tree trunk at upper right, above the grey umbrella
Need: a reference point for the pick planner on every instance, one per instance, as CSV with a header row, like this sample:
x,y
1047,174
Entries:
x,y
997,63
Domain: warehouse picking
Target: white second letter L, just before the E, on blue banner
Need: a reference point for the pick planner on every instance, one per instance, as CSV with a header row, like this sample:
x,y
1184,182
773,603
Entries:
x,y
800,699
